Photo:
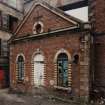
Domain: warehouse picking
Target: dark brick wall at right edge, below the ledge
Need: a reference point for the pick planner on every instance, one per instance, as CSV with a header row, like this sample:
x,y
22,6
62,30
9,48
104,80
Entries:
x,y
100,61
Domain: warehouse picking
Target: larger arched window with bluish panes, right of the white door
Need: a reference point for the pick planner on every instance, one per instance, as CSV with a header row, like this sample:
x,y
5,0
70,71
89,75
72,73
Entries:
x,y
62,70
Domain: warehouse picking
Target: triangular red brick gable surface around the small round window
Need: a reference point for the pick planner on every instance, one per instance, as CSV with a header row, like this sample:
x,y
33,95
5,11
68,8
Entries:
x,y
50,21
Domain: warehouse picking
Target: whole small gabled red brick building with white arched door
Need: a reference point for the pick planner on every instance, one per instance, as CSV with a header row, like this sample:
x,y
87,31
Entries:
x,y
51,49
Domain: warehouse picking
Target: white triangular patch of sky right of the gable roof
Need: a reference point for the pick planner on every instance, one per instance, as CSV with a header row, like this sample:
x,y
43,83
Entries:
x,y
81,13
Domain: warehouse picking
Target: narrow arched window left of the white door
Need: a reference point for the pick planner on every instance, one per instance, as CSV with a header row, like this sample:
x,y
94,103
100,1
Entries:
x,y
20,68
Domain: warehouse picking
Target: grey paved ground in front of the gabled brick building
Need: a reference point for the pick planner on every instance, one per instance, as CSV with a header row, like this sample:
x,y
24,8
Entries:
x,y
7,98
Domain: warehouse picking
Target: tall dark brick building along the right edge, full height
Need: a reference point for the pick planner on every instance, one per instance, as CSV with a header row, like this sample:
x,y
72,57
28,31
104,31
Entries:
x,y
96,18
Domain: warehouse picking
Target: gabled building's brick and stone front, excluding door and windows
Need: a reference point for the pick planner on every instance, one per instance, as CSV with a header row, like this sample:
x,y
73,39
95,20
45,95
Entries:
x,y
71,42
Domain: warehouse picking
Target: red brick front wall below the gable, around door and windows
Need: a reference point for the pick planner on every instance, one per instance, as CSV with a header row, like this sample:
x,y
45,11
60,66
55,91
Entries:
x,y
50,46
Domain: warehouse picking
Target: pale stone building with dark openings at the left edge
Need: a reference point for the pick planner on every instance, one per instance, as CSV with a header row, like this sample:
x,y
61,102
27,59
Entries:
x,y
9,17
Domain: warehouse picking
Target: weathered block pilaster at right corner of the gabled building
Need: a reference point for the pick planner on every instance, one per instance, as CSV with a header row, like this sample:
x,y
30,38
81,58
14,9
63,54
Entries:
x,y
84,67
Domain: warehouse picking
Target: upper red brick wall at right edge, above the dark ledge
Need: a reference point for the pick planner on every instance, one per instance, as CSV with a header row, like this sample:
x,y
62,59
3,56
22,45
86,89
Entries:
x,y
96,15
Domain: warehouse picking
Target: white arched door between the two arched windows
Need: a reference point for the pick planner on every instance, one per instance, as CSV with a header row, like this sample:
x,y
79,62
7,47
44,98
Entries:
x,y
38,70
